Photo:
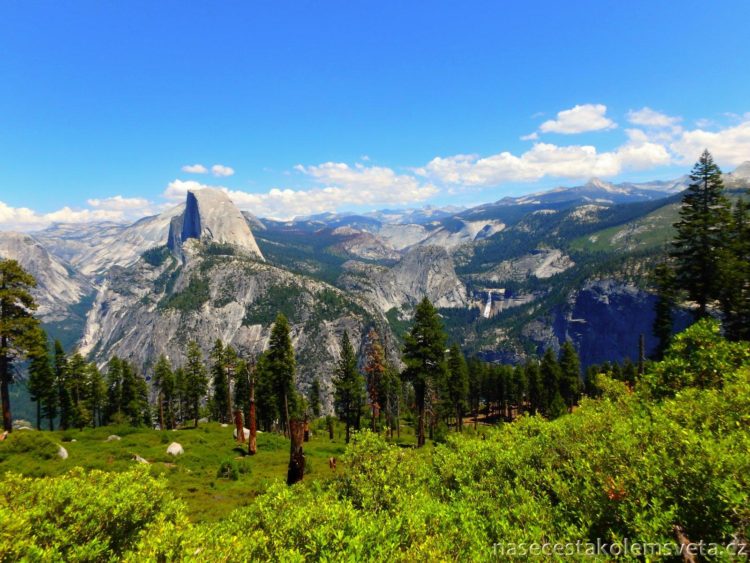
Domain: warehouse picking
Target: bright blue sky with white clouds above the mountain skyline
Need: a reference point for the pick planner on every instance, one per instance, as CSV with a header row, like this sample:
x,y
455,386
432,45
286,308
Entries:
x,y
357,105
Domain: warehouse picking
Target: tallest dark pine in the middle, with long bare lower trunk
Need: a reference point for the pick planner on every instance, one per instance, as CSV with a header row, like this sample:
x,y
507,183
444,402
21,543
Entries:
x,y
424,356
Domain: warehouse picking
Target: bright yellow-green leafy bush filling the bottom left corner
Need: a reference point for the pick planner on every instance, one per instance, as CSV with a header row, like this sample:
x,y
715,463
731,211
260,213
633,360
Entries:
x,y
82,516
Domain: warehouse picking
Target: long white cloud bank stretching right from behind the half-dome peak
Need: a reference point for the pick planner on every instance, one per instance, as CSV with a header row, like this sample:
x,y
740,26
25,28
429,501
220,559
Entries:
x,y
341,185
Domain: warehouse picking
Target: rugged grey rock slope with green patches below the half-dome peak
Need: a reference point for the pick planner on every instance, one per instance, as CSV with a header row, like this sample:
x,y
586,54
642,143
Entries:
x,y
145,311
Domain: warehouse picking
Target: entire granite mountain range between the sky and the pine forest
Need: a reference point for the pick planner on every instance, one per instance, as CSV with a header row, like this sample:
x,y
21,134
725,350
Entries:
x,y
510,278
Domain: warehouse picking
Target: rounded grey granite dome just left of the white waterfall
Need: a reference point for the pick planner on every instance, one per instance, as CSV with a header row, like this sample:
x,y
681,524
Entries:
x,y
424,272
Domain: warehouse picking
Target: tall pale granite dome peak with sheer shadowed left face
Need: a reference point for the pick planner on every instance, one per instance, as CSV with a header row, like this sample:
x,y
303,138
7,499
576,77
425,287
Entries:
x,y
210,215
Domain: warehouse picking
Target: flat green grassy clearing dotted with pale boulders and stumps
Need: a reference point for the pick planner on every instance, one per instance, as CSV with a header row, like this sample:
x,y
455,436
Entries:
x,y
193,476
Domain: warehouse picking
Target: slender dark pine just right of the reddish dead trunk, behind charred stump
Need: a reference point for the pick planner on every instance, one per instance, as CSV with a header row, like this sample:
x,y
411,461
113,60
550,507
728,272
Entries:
x,y
282,367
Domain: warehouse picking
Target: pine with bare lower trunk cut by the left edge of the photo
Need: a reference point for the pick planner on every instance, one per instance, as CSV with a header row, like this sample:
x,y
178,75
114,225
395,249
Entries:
x,y
16,326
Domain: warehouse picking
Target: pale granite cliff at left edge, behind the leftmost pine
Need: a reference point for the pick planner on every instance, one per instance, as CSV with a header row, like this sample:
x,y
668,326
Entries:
x,y
59,287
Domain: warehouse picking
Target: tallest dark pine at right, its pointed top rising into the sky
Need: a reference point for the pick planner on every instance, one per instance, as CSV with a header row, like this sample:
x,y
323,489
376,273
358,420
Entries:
x,y
701,234
